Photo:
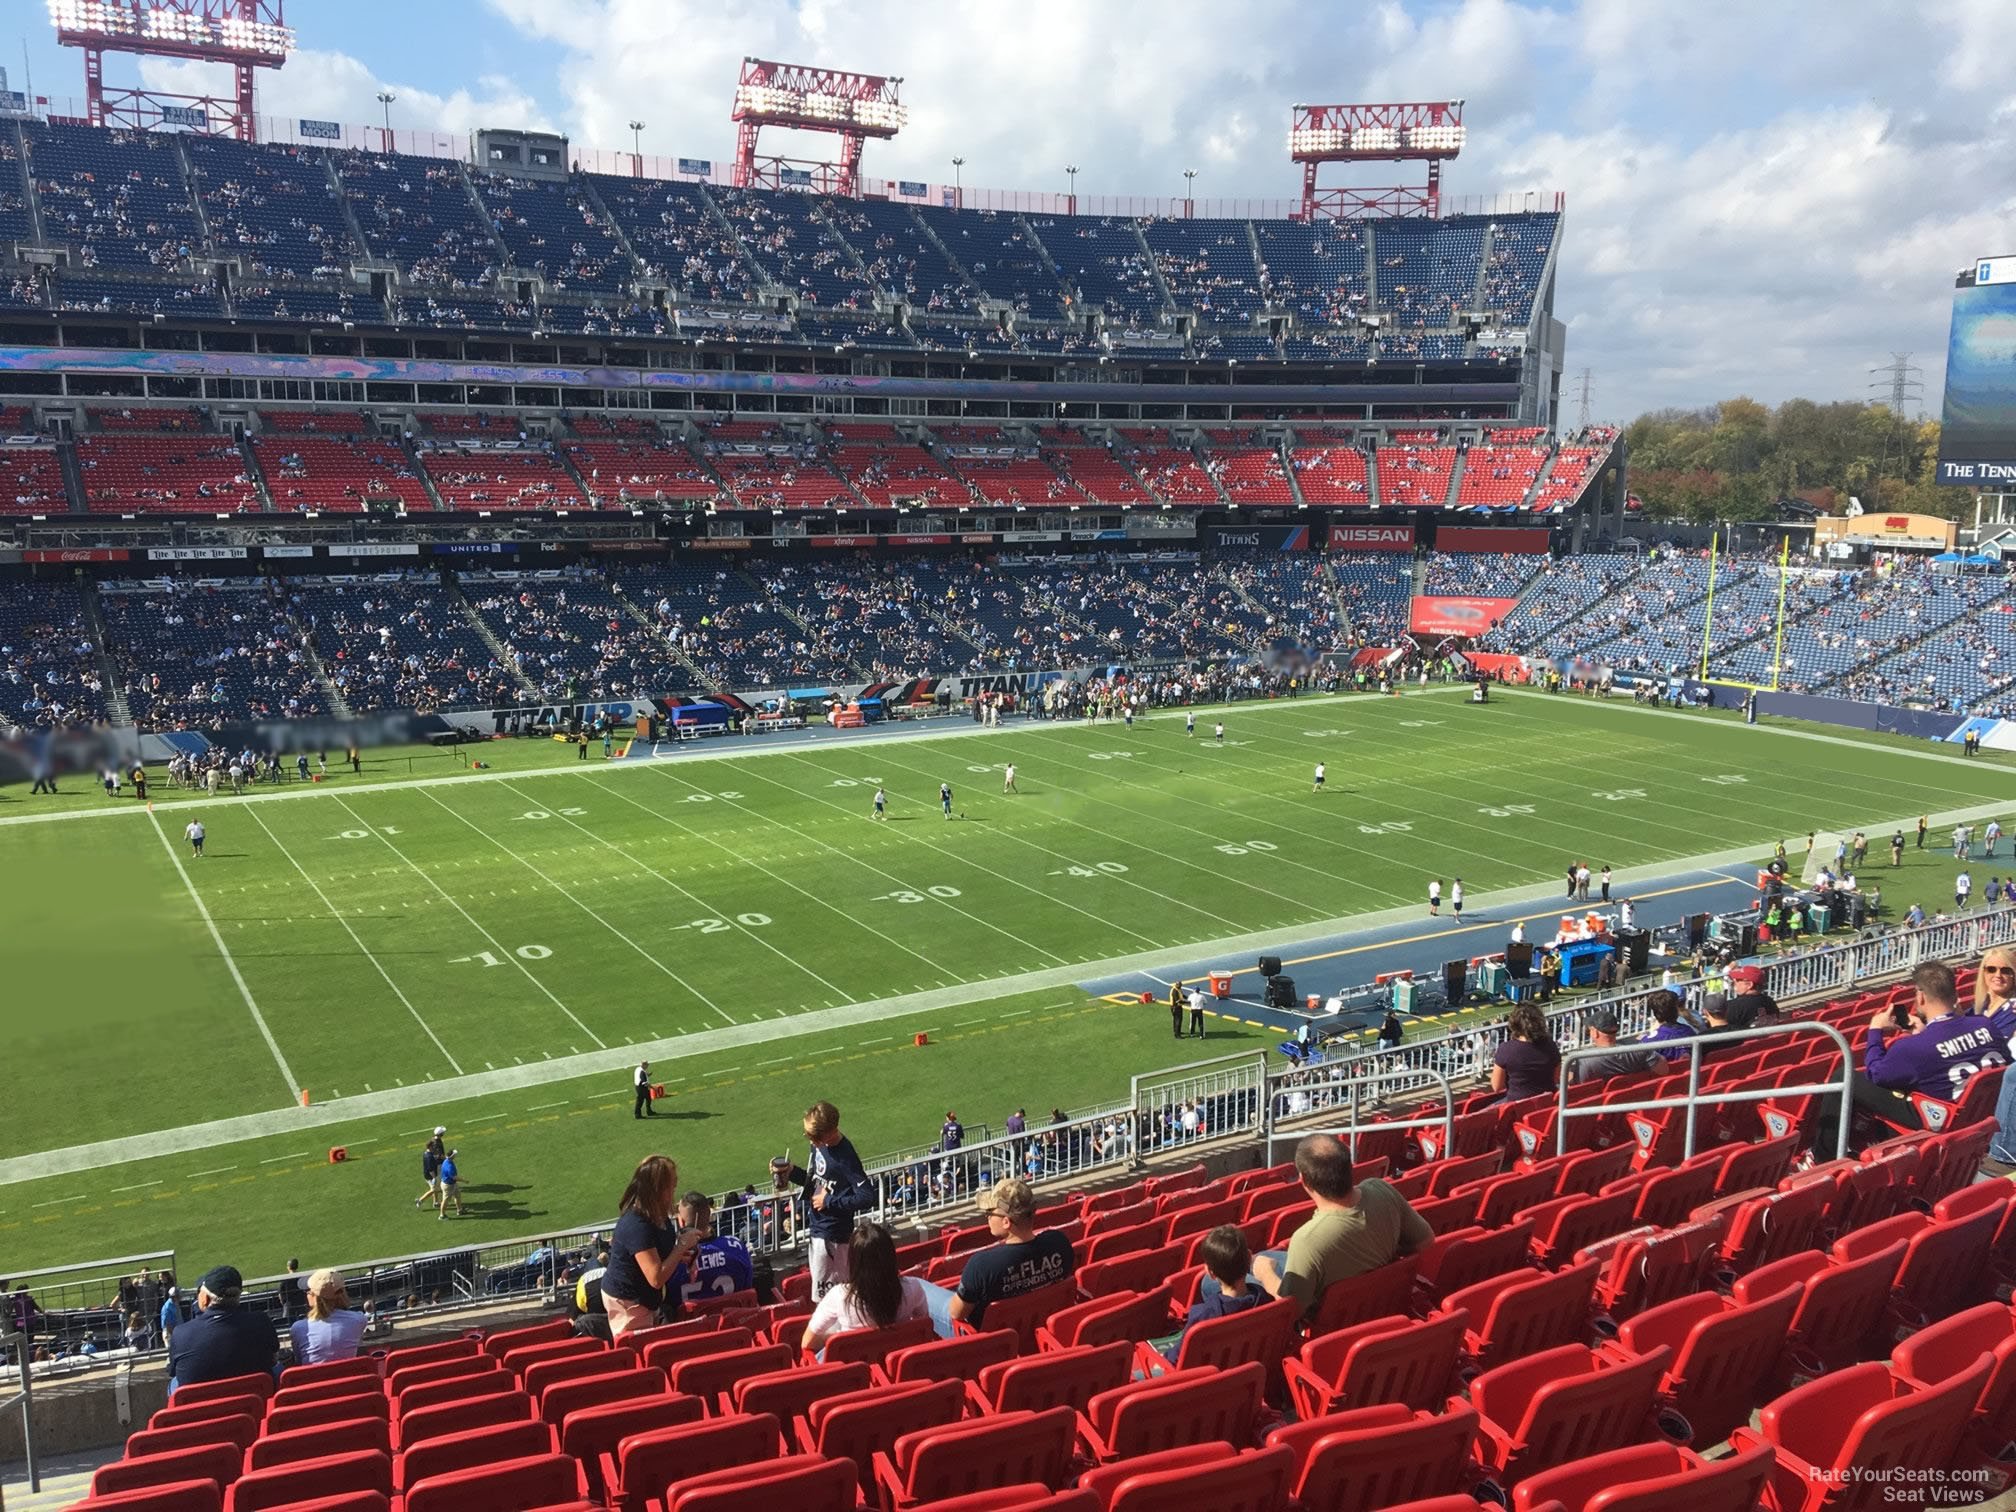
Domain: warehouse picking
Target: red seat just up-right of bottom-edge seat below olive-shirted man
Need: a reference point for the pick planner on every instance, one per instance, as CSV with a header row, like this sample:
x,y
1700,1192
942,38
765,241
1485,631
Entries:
x,y
1563,1404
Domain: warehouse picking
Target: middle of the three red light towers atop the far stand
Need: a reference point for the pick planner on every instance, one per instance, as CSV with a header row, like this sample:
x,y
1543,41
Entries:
x,y
848,106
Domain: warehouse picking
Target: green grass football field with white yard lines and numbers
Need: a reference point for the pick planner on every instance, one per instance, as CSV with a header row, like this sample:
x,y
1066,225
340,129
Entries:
x,y
485,951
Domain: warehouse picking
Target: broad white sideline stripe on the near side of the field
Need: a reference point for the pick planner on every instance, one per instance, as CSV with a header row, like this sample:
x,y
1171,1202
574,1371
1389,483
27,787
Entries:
x,y
618,1061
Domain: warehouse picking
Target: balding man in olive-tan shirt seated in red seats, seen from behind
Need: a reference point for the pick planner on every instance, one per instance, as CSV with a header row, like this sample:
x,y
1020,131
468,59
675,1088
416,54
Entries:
x,y
1356,1229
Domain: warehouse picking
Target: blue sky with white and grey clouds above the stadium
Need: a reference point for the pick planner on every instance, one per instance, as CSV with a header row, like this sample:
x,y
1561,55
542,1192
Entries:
x,y
1763,201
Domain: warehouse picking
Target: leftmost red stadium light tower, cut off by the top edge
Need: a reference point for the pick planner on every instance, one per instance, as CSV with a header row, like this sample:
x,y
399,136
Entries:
x,y
239,33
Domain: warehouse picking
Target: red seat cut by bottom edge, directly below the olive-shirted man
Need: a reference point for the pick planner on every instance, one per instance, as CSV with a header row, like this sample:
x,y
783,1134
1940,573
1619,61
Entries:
x,y
1374,1457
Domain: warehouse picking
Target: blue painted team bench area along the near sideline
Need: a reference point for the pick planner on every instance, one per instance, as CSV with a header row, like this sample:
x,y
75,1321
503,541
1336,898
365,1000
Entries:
x,y
1330,965
